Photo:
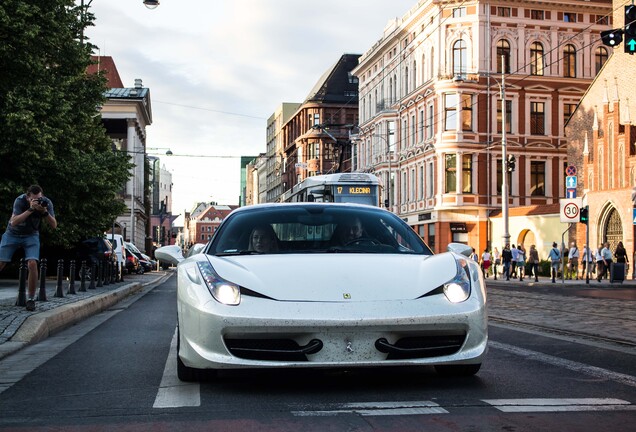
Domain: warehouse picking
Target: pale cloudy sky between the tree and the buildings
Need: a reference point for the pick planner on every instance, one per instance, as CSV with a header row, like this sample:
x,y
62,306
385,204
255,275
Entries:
x,y
218,69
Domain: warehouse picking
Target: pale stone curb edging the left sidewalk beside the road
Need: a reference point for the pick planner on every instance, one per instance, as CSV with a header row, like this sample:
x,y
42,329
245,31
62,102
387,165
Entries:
x,y
42,325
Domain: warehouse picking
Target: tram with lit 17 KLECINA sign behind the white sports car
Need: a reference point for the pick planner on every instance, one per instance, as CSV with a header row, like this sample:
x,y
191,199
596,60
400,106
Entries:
x,y
361,188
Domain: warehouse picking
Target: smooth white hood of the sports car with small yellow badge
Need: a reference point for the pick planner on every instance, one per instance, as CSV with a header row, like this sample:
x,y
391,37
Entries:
x,y
338,277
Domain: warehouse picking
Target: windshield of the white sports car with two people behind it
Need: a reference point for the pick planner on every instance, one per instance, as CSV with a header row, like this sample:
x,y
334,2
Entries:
x,y
314,228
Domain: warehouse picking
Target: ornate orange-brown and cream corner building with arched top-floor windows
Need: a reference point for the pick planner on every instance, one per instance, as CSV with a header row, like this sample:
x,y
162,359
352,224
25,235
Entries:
x,y
432,120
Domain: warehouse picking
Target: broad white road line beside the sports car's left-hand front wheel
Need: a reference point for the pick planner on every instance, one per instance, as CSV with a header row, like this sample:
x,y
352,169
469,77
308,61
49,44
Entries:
x,y
174,393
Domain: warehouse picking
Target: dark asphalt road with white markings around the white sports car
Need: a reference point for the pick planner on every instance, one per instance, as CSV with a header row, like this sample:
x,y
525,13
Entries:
x,y
115,371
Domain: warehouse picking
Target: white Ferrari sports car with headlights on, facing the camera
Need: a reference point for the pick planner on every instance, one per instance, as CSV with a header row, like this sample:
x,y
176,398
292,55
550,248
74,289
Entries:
x,y
323,285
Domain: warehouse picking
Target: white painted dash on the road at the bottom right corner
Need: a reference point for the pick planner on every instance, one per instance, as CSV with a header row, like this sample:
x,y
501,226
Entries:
x,y
559,405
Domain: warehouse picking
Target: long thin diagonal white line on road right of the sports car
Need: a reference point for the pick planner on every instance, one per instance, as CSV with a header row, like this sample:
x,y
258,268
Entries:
x,y
567,364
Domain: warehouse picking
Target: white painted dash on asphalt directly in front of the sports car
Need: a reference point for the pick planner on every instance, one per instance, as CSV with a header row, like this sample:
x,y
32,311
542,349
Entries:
x,y
377,409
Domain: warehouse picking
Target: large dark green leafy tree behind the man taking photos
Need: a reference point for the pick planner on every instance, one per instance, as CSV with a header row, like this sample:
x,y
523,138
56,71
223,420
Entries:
x,y
50,129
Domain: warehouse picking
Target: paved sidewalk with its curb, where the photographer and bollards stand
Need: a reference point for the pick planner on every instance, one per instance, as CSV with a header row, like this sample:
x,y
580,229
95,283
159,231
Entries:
x,y
19,327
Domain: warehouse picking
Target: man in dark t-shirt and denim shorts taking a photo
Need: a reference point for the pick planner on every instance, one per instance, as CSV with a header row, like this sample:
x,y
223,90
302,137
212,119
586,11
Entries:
x,y
23,231
